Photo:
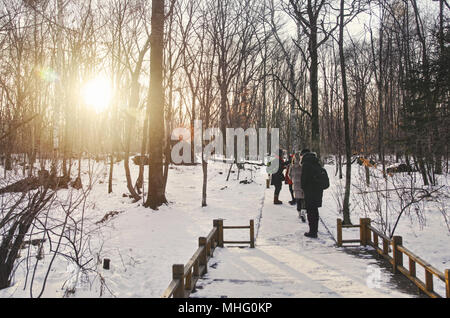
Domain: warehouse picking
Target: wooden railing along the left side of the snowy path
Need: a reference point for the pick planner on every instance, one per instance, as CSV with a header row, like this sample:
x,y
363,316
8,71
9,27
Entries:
x,y
185,277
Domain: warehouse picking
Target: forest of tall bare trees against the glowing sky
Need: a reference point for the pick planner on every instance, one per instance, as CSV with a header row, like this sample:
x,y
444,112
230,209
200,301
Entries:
x,y
344,78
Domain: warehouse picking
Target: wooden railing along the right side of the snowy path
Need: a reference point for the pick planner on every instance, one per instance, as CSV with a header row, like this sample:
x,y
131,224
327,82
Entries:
x,y
370,236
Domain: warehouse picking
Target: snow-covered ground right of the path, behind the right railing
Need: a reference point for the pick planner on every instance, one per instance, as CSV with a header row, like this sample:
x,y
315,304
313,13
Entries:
x,y
425,232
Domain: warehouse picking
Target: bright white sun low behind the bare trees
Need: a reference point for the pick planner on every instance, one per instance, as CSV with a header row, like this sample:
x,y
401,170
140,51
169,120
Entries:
x,y
97,93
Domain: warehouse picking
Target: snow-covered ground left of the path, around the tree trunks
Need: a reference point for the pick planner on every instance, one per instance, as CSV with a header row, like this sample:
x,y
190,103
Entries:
x,y
141,243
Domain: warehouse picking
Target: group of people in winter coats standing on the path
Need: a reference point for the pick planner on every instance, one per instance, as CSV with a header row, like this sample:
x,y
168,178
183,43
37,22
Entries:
x,y
301,171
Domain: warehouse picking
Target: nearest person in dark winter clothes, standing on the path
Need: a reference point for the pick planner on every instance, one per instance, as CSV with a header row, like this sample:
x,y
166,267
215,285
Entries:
x,y
313,193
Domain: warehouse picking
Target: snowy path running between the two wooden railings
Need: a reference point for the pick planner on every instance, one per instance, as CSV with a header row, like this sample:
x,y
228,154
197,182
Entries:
x,y
287,264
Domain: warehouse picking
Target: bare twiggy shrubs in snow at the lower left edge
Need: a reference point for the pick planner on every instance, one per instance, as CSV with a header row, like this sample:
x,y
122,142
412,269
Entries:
x,y
52,230
